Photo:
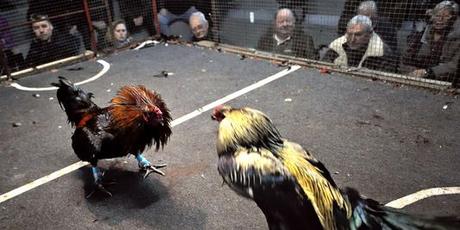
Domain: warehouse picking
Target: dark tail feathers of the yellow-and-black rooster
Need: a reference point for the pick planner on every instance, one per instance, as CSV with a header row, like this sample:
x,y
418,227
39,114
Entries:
x,y
369,214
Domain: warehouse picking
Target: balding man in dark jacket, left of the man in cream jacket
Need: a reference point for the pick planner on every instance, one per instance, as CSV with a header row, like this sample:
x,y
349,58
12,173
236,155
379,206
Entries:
x,y
285,38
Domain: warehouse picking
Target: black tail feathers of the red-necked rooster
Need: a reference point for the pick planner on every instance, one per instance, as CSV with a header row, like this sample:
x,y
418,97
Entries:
x,y
73,100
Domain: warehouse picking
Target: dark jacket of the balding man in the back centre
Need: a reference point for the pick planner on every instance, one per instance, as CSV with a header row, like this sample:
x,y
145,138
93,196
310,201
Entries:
x,y
300,45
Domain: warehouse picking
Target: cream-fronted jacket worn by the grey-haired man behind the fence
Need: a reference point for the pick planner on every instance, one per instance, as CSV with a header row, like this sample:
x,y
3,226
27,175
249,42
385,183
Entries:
x,y
377,56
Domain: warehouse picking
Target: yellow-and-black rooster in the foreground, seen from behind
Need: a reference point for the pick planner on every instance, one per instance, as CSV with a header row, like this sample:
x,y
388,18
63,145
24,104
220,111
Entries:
x,y
291,187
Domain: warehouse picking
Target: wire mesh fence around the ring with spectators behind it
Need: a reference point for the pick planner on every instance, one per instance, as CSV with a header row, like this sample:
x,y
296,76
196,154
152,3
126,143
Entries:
x,y
415,39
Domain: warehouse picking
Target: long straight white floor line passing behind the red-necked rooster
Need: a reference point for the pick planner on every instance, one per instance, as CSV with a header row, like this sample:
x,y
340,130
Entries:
x,y
75,166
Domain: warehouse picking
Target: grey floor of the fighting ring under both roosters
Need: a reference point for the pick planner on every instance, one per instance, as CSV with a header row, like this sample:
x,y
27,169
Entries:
x,y
385,140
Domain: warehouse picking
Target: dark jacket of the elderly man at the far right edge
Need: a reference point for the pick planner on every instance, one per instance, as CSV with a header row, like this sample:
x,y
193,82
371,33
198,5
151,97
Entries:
x,y
441,63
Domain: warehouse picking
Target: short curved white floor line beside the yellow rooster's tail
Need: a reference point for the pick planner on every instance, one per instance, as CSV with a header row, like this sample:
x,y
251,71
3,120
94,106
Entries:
x,y
422,194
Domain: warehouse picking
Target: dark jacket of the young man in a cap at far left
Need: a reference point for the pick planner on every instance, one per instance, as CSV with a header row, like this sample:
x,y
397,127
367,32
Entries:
x,y
61,45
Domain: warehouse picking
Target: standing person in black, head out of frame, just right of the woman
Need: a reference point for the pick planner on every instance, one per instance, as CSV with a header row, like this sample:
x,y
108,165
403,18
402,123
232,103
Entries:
x,y
137,15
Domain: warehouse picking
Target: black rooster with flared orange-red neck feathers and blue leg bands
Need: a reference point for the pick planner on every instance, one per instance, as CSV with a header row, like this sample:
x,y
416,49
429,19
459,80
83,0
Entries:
x,y
135,119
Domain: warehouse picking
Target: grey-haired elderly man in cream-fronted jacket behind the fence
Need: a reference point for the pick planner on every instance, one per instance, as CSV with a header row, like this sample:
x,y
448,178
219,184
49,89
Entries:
x,y
360,47
